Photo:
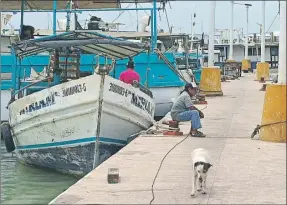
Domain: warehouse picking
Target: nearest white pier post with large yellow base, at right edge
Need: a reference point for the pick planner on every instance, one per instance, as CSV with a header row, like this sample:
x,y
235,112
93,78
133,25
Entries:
x,y
274,109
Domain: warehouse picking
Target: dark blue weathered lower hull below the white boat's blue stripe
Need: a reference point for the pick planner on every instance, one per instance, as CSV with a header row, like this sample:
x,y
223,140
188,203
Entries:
x,y
73,160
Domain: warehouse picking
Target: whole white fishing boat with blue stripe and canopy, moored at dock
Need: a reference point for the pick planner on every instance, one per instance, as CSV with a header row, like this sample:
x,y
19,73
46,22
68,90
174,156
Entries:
x,y
68,119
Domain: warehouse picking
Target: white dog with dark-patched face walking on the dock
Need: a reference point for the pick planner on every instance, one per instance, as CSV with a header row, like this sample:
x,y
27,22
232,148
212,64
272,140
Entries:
x,y
200,166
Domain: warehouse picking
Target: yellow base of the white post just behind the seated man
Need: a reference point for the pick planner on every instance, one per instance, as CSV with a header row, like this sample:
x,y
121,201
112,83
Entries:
x,y
210,82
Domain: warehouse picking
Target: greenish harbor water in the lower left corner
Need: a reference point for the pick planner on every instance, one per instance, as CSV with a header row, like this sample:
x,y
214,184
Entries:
x,y
22,184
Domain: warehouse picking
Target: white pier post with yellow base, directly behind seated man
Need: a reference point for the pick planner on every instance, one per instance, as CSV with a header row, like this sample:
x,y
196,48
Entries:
x,y
210,82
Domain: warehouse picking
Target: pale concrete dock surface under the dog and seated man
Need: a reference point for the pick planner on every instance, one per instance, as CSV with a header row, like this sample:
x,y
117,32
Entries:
x,y
245,170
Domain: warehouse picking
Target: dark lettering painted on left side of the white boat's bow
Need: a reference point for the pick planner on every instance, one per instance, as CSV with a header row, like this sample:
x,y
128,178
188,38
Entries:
x,y
50,100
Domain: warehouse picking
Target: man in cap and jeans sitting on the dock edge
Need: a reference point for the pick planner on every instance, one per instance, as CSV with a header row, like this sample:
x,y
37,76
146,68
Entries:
x,y
184,110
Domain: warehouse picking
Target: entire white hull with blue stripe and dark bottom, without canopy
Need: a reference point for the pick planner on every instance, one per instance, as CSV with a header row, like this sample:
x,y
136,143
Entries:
x,y
62,135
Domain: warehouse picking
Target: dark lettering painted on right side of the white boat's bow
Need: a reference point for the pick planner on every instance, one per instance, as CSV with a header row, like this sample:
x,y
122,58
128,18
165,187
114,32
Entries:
x,y
136,100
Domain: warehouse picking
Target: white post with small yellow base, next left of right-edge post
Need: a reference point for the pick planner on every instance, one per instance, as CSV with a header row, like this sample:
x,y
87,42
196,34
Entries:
x,y
262,68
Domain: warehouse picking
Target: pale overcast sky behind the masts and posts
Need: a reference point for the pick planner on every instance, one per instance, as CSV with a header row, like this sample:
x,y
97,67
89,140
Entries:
x,y
179,16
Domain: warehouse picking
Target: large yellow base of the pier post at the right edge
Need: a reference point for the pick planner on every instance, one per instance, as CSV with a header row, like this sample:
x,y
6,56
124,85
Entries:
x,y
274,110
